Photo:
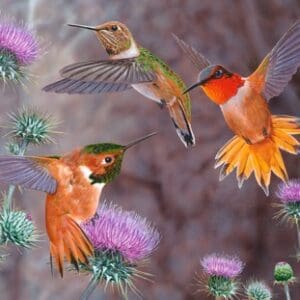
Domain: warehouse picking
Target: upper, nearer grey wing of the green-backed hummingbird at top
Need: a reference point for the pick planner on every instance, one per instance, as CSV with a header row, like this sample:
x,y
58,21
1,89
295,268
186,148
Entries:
x,y
127,71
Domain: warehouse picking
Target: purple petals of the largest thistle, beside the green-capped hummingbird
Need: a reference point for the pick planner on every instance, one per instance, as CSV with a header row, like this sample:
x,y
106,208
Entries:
x,y
123,231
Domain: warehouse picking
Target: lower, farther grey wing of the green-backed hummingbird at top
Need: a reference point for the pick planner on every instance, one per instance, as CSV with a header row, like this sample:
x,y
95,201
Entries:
x,y
72,86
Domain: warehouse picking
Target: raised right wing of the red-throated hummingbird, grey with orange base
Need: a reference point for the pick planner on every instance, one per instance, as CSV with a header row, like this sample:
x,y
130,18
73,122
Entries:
x,y
278,67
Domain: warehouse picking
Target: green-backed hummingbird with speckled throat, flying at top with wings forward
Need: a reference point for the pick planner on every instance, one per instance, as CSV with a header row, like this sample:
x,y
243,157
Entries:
x,y
129,66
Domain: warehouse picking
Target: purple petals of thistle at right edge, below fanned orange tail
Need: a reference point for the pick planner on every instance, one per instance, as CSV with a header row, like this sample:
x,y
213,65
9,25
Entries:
x,y
289,192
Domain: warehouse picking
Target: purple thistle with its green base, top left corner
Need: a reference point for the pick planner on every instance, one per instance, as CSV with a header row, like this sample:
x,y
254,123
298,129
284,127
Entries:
x,y
18,48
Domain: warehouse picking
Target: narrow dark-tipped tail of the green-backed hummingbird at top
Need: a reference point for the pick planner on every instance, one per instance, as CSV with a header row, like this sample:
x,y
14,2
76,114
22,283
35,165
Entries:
x,y
181,123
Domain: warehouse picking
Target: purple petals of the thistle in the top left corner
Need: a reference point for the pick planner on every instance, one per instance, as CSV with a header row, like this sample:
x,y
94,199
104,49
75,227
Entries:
x,y
19,41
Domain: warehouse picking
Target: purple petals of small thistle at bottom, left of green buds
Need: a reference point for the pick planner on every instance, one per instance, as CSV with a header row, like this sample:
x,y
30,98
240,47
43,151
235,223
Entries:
x,y
220,265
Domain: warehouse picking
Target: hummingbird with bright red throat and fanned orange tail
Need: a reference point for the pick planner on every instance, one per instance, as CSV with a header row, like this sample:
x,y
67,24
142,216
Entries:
x,y
259,135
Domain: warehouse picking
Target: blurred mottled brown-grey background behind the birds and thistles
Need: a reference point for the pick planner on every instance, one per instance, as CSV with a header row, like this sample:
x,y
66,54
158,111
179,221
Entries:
x,y
177,189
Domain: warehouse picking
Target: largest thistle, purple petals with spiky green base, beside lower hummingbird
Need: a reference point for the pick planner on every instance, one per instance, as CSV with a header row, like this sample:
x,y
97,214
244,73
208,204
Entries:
x,y
121,240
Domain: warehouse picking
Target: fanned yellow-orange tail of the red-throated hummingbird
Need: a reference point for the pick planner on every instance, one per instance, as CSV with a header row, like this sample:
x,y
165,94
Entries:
x,y
262,158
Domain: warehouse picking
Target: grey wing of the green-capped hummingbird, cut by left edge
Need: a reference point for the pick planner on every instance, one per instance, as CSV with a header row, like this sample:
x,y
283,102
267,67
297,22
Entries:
x,y
29,172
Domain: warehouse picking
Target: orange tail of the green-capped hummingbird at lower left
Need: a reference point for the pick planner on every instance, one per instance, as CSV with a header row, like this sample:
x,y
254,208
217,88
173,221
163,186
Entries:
x,y
70,243
